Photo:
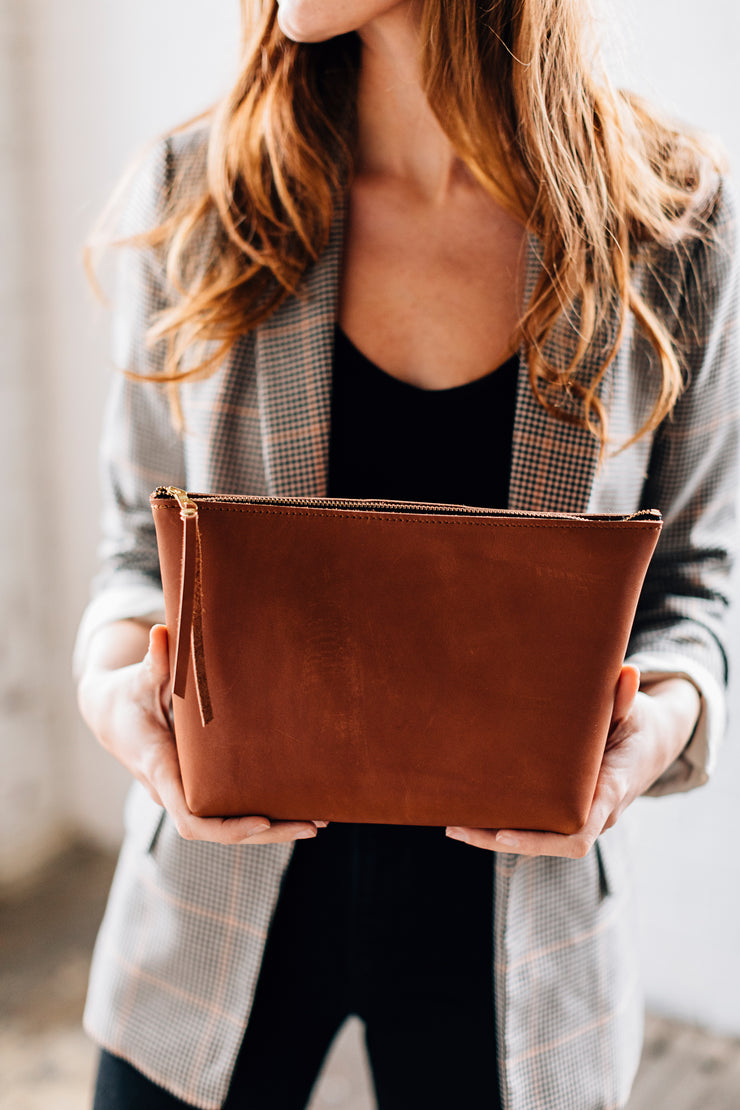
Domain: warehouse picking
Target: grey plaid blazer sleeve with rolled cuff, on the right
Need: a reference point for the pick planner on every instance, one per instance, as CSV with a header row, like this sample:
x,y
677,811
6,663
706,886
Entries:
x,y
682,624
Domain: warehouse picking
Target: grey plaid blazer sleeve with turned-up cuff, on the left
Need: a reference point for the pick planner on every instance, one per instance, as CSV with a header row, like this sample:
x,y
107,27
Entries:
x,y
140,447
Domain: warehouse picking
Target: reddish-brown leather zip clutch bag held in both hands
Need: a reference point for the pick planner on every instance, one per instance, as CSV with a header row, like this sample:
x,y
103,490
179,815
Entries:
x,y
392,662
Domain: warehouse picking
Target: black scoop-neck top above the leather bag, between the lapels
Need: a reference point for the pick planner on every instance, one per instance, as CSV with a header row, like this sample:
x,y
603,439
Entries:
x,y
393,440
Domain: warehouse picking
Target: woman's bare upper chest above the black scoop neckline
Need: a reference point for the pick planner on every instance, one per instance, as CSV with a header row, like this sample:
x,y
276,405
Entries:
x,y
431,292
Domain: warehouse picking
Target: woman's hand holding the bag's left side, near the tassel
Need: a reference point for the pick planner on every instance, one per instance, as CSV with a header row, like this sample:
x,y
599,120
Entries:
x,y
125,704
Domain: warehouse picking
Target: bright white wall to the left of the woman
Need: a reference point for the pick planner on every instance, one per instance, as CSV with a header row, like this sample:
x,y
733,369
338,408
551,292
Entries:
x,y
108,77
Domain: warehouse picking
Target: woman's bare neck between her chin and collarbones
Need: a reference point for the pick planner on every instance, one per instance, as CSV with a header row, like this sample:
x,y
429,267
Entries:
x,y
399,135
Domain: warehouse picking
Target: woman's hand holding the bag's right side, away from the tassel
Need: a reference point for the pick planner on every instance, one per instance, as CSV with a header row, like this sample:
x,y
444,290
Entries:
x,y
648,731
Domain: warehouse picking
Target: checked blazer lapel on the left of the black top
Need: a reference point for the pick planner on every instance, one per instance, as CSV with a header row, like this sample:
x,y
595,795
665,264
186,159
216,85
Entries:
x,y
293,354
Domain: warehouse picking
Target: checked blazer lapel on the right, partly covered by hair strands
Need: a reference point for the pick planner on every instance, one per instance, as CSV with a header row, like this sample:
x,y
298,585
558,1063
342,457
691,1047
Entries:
x,y
553,465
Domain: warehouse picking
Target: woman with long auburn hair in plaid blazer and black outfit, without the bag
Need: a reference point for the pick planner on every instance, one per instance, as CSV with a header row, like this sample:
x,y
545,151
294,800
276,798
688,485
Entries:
x,y
427,251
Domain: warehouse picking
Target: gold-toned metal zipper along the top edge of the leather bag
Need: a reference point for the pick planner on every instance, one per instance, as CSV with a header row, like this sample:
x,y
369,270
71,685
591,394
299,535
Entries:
x,y
189,508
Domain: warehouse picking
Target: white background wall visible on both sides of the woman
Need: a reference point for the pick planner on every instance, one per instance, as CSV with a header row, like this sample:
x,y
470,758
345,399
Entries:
x,y
107,77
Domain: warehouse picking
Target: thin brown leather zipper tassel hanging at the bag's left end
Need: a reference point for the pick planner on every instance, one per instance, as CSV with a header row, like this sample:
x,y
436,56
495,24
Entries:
x,y
190,625
